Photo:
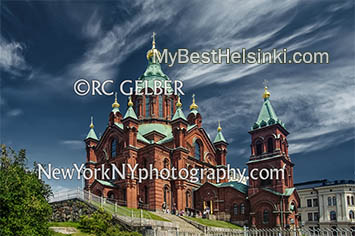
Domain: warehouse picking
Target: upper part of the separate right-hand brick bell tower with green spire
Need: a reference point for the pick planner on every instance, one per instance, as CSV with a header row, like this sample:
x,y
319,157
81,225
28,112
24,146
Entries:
x,y
269,150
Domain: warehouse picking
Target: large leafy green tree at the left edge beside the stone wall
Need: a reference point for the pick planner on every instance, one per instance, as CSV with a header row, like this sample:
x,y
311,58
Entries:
x,y
24,207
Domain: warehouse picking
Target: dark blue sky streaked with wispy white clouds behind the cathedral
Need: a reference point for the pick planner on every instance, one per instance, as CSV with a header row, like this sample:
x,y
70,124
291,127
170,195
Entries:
x,y
47,45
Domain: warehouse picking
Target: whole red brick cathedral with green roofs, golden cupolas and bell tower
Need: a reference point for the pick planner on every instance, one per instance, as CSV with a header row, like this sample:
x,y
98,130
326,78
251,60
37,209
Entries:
x,y
154,130
